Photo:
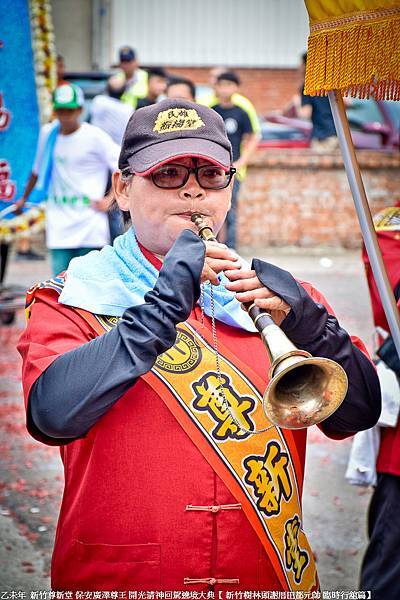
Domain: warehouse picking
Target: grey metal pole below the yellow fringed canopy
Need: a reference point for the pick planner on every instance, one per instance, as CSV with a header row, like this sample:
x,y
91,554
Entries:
x,y
364,215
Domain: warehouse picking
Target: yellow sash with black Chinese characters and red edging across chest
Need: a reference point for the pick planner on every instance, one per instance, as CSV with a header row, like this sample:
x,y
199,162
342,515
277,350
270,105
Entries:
x,y
262,471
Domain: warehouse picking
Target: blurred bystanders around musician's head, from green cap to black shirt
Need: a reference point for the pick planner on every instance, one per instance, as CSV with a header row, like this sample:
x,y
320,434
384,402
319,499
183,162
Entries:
x,y
68,148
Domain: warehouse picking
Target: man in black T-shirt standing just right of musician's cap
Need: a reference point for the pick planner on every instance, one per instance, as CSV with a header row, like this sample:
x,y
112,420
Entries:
x,y
242,137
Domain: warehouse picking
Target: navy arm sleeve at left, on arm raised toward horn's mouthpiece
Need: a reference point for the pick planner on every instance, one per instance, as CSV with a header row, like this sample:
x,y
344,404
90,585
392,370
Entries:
x,y
82,384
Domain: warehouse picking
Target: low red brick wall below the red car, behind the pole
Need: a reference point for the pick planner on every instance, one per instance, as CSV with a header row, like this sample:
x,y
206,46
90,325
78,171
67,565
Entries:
x,y
300,198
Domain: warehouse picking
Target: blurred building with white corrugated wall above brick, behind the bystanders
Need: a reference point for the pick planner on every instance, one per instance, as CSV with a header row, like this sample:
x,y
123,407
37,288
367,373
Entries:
x,y
261,39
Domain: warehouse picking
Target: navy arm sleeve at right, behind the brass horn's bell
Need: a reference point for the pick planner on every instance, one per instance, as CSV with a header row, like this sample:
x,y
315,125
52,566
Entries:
x,y
310,327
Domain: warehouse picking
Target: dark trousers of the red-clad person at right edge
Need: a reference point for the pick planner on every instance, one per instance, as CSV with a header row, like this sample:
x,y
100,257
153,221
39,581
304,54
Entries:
x,y
380,571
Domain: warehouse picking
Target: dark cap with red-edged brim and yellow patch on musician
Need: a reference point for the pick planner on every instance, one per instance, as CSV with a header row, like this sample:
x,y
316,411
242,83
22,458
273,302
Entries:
x,y
170,129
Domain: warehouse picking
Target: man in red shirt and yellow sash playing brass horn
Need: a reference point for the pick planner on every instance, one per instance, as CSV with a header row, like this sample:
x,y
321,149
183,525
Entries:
x,y
166,488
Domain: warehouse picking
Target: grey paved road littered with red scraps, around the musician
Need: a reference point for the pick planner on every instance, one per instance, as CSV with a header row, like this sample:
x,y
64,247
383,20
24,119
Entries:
x,y
31,475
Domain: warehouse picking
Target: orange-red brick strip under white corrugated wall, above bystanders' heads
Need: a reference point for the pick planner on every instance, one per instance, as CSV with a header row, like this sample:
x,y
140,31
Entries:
x,y
268,89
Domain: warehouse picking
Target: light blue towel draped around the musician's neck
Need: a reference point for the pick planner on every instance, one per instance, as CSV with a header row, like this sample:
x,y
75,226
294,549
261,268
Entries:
x,y
109,281
